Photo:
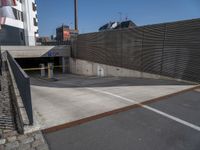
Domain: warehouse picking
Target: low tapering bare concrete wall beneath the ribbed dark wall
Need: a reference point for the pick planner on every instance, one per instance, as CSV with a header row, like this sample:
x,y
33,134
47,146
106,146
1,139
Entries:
x,y
88,68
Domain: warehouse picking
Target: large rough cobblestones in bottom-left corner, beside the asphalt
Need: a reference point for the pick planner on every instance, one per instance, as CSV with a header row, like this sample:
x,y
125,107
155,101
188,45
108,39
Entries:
x,y
31,141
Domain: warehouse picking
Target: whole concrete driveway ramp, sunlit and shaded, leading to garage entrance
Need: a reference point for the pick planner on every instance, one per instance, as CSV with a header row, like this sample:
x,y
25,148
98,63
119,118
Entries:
x,y
73,97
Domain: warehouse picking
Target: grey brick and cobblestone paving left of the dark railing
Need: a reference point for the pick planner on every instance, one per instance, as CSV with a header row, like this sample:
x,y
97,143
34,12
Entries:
x,y
10,139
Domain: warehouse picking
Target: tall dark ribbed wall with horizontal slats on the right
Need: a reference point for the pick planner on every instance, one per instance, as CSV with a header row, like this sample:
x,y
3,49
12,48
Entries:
x,y
171,49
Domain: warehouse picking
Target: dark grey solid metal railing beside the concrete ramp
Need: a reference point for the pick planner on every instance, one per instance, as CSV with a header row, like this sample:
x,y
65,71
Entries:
x,y
23,84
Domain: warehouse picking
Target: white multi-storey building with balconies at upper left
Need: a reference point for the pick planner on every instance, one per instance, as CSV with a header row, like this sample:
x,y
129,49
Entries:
x,y
19,23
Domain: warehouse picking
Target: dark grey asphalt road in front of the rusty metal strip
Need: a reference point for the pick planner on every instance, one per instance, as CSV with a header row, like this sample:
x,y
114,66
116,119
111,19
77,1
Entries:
x,y
141,128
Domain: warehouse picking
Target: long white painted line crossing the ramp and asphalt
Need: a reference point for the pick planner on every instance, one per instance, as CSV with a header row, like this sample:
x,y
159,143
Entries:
x,y
195,127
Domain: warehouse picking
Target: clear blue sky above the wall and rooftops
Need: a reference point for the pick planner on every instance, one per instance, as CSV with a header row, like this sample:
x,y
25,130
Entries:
x,y
94,13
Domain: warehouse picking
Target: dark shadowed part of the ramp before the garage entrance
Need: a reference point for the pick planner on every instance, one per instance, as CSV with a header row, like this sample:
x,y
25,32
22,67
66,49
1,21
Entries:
x,y
76,81
